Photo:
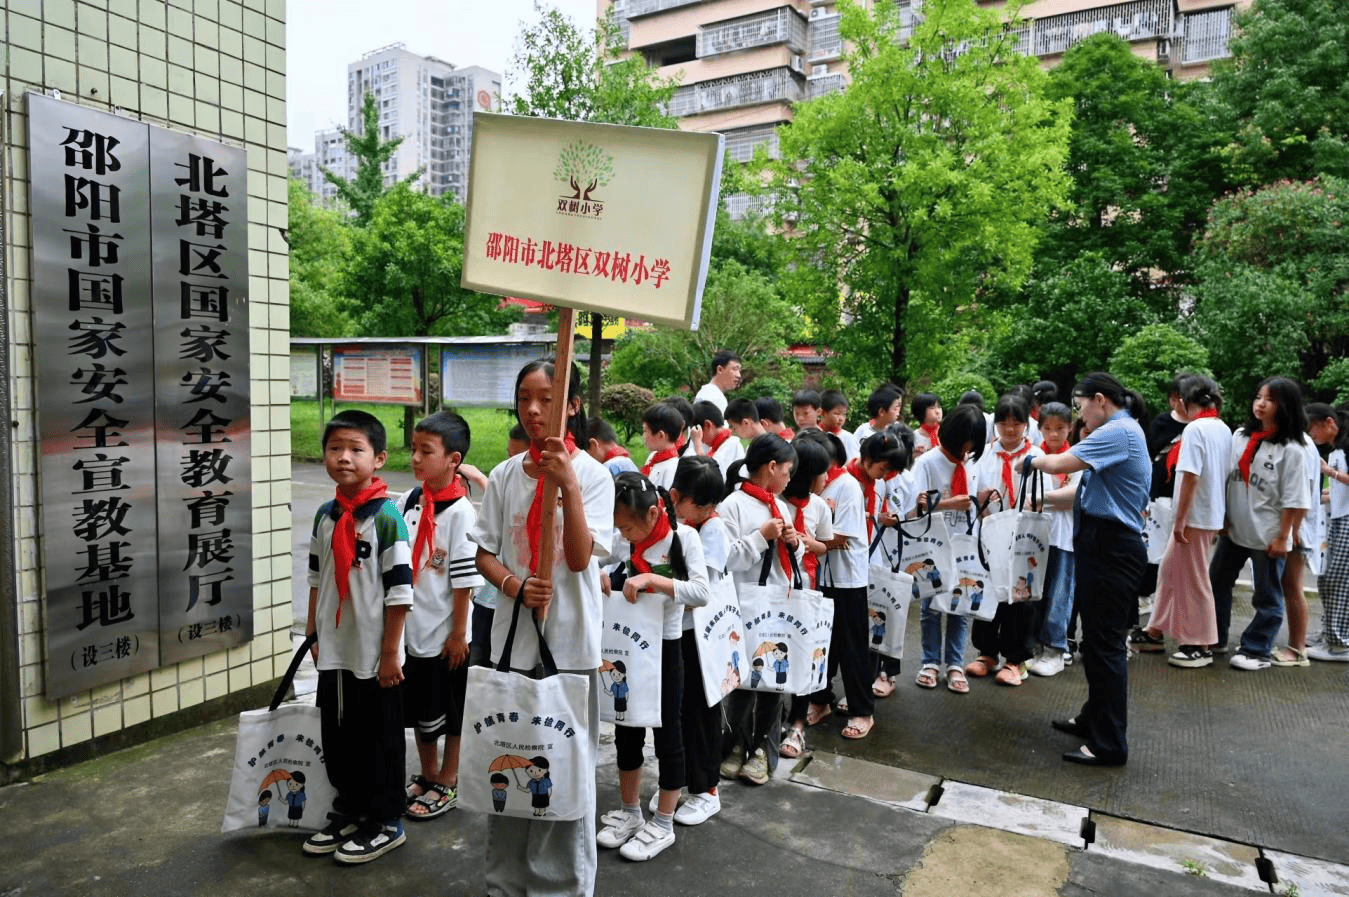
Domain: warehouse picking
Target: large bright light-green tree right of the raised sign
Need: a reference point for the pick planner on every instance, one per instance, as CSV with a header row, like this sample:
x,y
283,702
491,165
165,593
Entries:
x,y
927,177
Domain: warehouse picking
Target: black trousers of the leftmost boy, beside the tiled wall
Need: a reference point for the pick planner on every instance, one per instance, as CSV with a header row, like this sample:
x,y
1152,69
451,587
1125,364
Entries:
x,y
364,745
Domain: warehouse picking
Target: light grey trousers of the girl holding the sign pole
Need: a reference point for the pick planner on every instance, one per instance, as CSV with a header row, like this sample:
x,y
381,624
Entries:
x,y
528,859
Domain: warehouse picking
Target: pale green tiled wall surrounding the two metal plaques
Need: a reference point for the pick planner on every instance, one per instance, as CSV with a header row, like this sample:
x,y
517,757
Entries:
x,y
218,69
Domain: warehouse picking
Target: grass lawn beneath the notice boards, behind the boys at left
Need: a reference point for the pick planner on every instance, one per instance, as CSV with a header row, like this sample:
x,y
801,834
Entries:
x,y
489,428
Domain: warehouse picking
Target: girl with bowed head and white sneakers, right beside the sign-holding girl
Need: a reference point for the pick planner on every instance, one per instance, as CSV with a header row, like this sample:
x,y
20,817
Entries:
x,y
667,559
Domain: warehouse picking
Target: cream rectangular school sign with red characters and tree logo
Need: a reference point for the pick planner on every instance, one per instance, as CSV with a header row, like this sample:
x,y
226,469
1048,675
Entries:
x,y
593,216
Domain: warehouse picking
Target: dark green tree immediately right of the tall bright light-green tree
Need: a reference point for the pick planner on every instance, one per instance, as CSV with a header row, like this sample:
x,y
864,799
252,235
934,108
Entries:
x,y
1143,160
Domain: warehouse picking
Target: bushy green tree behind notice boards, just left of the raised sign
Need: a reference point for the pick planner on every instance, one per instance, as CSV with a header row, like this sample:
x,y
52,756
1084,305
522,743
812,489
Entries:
x,y
403,276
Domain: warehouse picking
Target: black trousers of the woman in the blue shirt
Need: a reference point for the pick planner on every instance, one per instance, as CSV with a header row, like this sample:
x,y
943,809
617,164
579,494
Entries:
x,y
1111,560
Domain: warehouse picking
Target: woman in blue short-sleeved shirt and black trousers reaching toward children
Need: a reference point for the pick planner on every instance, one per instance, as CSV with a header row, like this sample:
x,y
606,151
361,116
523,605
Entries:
x,y
1110,555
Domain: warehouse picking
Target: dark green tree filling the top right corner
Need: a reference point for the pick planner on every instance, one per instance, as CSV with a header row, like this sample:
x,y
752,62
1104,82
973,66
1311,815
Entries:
x,y
1288,88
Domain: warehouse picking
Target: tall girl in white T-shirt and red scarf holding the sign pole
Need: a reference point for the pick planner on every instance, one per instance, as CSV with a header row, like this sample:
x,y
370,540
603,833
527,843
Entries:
x,y
524,856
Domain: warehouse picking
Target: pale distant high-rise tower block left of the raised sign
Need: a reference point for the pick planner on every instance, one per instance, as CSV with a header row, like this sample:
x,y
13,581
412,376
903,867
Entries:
x,y
427,102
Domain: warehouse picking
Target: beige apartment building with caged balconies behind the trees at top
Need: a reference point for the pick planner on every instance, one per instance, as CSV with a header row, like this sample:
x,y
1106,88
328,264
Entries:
x,y
743,64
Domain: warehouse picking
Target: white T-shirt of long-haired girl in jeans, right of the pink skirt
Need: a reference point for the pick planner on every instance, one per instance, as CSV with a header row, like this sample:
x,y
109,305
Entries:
x,y
1278,481
